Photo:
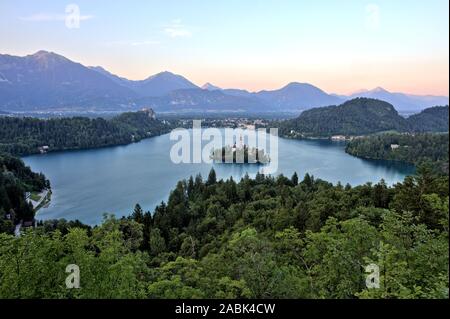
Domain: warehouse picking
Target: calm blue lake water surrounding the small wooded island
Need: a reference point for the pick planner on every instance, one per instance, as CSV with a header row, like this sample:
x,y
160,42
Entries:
x,y
88,183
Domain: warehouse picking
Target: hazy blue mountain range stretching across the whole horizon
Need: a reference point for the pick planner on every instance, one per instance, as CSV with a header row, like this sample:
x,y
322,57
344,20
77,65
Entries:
x,y
46,81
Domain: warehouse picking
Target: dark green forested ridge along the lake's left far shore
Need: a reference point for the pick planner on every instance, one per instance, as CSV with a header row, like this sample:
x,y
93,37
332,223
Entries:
x,y
24,136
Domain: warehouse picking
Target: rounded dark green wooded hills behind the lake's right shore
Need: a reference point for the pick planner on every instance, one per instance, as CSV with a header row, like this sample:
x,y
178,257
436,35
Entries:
x,y
362,116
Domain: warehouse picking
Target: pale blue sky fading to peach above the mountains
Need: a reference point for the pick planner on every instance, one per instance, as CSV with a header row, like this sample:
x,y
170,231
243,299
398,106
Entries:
x,y
341,46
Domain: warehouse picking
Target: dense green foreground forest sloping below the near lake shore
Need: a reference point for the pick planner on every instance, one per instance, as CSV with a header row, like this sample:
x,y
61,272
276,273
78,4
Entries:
x,y
268,237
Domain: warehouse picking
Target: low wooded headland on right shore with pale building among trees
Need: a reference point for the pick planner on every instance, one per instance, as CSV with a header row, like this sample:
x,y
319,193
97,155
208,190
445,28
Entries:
x,y
409,148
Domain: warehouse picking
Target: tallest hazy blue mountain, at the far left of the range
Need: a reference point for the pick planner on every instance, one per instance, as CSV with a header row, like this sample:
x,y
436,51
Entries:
x,y
46,80
